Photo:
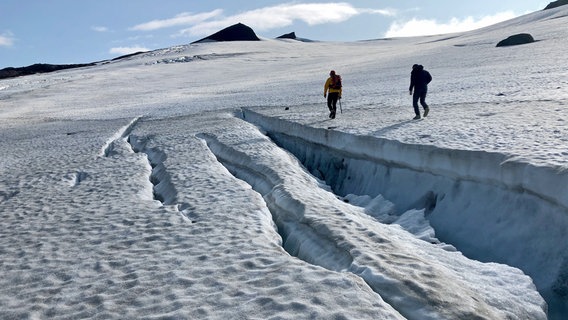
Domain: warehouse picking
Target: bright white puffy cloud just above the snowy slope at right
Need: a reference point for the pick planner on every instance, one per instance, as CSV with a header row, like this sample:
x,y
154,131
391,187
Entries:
x,y
422,27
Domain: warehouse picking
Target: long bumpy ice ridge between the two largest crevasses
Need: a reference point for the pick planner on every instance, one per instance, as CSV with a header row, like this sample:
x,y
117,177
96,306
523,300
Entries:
x,y
404,271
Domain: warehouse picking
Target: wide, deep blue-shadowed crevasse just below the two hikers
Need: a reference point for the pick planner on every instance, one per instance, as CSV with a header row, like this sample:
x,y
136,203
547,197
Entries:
x,y
490,207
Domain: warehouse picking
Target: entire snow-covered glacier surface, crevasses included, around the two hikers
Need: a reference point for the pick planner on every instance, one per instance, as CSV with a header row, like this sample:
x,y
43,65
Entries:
x,y
206,181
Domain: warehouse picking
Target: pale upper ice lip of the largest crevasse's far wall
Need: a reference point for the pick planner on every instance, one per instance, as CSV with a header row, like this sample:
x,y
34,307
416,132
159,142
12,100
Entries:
x,y
548,183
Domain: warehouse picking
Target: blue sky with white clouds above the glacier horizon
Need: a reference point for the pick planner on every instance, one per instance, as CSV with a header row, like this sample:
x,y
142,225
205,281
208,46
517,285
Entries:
x,y
79,31
